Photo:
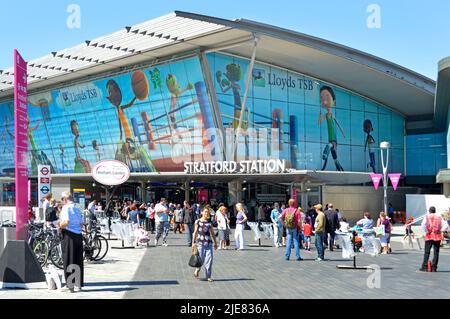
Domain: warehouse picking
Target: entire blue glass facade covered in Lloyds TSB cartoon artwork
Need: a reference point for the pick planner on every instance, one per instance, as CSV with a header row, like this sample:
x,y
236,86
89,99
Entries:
x,y
154,119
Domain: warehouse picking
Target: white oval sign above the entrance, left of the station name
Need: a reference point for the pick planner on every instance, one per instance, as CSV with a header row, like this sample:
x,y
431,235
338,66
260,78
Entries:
x,y
111,172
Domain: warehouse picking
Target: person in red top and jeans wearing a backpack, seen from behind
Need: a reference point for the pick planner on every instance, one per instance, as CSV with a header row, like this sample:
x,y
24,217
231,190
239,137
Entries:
x,y
293,223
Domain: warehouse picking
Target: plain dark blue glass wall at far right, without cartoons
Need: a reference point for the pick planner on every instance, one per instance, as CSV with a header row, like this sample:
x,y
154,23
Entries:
x,y
426,154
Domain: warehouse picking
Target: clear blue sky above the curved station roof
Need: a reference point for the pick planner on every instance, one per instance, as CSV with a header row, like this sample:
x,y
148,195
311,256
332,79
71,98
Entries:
x,y
414,34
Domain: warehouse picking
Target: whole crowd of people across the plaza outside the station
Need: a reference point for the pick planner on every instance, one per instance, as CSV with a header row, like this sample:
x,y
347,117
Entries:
x,y
207,227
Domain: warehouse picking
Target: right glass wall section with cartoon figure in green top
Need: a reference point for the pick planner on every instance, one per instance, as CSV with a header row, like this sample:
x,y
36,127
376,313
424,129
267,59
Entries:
x,y
322,127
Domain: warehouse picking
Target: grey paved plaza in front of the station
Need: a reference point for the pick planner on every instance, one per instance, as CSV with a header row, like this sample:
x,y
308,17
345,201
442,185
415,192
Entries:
x,y
258,272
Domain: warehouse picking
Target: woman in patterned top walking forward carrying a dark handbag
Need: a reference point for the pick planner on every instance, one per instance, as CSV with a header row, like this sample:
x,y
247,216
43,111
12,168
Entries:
x,y
203,239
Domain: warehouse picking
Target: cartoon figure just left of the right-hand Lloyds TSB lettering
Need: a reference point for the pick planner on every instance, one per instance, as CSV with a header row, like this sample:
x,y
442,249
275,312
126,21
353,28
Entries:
x,y
232,77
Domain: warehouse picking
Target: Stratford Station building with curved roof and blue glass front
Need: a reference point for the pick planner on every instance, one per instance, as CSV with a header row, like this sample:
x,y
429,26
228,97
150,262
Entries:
x,y
182,97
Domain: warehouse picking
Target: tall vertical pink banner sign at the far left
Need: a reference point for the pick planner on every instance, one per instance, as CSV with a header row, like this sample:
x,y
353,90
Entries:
x,y
21,144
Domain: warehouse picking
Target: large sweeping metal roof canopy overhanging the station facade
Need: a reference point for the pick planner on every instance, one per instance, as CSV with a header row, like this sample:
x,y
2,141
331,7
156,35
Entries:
x,y
403,90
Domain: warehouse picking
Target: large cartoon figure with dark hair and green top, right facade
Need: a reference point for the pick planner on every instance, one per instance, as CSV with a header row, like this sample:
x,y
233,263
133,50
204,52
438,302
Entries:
x,y
328,101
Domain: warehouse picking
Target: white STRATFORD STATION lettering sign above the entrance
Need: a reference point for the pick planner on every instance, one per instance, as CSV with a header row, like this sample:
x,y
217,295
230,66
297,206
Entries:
x,y
232,167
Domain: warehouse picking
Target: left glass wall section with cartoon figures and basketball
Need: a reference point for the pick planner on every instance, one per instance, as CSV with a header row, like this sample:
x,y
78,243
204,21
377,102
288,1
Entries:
x,y
151,119
